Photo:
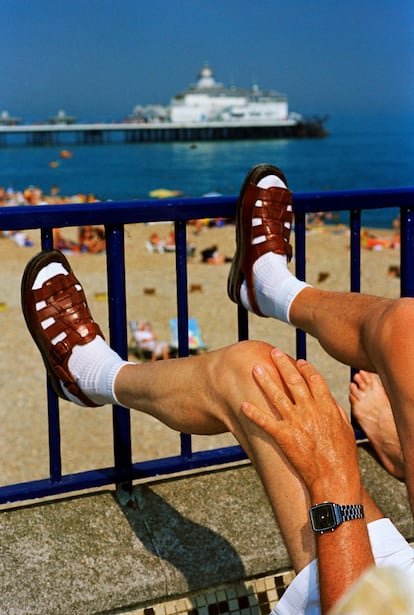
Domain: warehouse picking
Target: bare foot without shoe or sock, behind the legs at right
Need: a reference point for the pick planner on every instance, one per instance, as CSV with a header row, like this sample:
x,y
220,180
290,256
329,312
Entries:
x,y
371,408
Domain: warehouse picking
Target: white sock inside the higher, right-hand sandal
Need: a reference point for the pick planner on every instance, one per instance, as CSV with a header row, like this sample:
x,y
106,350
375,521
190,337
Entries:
x,y
276,287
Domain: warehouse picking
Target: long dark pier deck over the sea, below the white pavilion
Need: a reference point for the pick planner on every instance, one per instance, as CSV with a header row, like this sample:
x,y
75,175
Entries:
x,y
155,132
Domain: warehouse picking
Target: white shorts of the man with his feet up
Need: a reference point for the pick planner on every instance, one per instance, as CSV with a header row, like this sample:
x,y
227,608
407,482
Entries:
x,y
389,548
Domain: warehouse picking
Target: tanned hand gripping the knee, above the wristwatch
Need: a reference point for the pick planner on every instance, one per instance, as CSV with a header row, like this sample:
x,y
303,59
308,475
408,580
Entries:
x,y
310,427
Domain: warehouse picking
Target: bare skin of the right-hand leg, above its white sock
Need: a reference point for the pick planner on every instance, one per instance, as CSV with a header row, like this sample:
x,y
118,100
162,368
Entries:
x,y
369,333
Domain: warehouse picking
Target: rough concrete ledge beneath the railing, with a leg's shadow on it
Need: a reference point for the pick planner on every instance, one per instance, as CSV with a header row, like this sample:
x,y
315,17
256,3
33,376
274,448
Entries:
x,y
90,554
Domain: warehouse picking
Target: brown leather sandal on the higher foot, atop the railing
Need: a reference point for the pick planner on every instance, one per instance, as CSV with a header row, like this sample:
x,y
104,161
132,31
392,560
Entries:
x,y
276,222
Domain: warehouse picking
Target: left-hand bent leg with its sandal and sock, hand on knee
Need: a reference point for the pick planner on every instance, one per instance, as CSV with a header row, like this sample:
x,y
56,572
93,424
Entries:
x,y
200,394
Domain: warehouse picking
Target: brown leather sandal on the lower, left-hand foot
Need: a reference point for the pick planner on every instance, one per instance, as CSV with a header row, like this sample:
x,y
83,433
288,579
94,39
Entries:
x,y
61,300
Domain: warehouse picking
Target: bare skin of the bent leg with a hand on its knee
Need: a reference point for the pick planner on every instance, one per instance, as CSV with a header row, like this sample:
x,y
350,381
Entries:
x,y
203,395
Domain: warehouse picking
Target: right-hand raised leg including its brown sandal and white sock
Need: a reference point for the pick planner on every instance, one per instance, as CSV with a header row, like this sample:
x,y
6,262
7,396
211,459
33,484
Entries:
x,y
363,331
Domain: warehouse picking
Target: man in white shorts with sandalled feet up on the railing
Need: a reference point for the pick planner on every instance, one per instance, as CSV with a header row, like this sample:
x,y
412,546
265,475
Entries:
x,y
280,410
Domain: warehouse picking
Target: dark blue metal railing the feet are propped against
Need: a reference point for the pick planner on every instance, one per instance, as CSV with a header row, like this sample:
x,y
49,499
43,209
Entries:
x,y
114,216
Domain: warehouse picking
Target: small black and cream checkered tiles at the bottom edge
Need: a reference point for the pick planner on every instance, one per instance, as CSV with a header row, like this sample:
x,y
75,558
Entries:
x,y
254,597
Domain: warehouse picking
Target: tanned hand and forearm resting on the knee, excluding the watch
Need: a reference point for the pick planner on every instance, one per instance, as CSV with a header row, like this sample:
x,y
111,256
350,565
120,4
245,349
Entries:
x,y
317,439
